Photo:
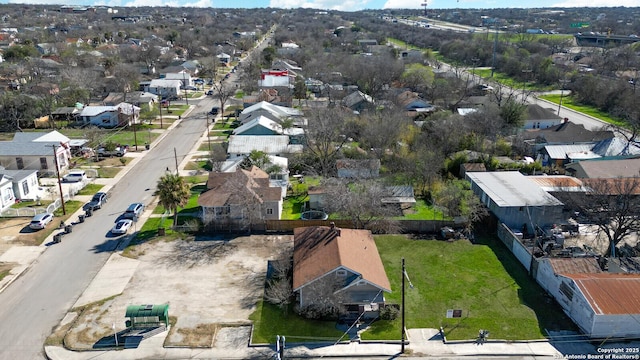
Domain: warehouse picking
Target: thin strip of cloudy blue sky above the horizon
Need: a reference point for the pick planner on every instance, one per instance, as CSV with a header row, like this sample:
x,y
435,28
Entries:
x,y
345,5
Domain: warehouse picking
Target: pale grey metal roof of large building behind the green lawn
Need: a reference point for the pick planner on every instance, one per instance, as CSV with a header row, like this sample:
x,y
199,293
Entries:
x,y
511,188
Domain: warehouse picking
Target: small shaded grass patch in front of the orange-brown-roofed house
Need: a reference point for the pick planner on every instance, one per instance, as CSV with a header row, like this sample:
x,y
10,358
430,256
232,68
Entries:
x,y
269,321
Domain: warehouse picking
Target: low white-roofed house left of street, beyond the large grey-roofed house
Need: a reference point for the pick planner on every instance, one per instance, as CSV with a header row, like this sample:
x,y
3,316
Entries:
x,y
123,114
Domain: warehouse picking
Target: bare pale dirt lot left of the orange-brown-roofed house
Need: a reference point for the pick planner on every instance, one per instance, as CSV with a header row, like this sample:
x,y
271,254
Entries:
x,y
208,284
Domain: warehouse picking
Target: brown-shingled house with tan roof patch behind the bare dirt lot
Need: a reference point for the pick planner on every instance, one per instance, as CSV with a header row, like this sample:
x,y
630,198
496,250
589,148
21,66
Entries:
x,y
239,200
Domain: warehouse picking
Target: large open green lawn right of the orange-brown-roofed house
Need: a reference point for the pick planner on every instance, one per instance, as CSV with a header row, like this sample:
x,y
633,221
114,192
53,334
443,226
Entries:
x,y
485,281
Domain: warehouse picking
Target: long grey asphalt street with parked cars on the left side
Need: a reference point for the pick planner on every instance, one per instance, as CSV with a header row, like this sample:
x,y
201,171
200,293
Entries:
x,y
36,302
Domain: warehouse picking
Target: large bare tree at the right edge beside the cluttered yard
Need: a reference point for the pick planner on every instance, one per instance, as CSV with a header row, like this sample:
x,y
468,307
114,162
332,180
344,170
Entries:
x,y
613,205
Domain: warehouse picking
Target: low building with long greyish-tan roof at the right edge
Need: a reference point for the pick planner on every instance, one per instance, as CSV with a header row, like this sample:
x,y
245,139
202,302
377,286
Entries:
x,y
605,168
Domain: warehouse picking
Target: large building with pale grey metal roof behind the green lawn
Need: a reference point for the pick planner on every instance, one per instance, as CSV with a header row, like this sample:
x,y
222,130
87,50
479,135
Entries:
x,y
515,200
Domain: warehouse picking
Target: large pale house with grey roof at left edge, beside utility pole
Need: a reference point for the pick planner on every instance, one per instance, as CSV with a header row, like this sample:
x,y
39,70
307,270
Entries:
x,y
35,151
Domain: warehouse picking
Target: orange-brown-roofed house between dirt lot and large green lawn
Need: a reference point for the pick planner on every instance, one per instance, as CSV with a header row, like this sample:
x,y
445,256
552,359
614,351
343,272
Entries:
x,y
328,260
